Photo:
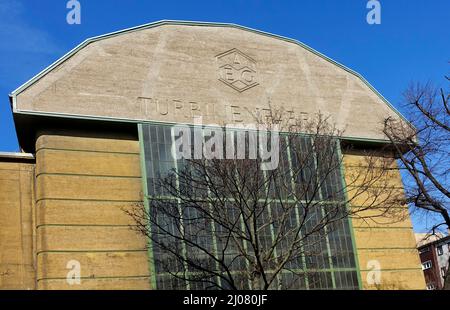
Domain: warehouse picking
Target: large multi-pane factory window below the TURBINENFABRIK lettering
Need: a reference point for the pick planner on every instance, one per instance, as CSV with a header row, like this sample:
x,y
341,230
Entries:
x,y
333,264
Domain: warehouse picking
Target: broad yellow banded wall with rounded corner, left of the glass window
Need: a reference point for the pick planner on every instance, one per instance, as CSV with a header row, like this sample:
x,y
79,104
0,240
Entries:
x,y
83,186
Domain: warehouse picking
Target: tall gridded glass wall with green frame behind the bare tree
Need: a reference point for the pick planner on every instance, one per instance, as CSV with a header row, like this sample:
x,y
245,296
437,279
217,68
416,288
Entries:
x,y
333,266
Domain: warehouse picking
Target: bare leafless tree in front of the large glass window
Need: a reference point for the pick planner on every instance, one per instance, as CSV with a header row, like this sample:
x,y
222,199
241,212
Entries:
x,y
273,229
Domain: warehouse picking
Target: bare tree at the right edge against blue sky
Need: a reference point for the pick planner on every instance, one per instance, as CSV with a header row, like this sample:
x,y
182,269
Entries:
x,y
424,152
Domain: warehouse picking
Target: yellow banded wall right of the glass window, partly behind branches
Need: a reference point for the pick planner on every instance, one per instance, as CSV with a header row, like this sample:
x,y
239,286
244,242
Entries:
x,y
387,239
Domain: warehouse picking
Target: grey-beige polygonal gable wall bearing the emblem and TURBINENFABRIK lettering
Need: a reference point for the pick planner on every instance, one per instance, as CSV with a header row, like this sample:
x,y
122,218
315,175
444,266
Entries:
x,y
172,73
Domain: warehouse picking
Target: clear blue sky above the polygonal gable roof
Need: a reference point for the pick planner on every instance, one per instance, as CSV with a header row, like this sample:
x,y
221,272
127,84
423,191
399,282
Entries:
x,y
411,43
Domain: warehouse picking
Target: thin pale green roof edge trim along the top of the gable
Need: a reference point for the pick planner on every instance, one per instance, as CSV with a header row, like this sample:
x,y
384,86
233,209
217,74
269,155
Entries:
x,y
88,41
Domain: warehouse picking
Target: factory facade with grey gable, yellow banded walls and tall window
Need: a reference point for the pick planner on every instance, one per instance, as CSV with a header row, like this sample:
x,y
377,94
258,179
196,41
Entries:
x,y
94,129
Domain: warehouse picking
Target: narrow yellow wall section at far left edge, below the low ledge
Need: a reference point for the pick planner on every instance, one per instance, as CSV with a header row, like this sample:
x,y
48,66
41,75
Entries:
x,y
17,265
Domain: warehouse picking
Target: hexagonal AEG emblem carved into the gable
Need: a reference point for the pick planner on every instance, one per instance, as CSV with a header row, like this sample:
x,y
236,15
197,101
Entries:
x,y
237,70
